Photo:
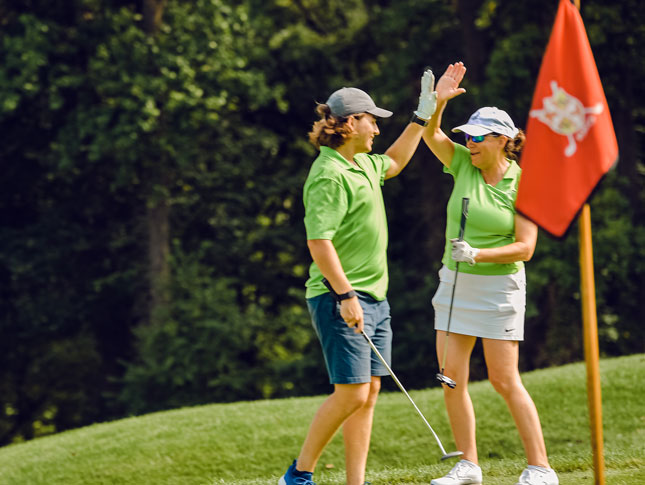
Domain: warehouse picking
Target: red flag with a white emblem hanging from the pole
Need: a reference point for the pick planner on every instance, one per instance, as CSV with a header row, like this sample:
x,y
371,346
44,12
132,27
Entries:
x,y
570,139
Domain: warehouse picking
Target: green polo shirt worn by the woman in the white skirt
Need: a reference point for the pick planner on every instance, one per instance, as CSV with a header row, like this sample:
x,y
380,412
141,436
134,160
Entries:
x,y
491,212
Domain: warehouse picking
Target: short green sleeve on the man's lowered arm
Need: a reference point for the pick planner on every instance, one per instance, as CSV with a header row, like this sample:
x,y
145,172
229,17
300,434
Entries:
x,y
325,203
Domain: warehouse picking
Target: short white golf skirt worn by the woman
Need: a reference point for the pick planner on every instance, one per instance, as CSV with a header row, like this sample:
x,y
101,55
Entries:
x,y
487,306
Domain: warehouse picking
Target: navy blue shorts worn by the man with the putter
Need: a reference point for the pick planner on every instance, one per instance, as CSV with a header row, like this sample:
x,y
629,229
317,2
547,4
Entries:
x,y
348,356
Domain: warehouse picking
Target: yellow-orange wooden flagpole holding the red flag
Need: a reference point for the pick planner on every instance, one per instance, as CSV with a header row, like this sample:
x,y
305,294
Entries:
x,y
590,338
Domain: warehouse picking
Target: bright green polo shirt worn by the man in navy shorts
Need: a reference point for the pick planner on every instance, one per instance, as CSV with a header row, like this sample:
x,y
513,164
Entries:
x,y
344,204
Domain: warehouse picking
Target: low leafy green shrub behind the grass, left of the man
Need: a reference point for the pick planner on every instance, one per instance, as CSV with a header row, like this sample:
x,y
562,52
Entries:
x,y
208,349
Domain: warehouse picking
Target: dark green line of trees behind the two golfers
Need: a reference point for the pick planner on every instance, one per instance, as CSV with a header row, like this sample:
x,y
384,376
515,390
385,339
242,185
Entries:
x,y
152,250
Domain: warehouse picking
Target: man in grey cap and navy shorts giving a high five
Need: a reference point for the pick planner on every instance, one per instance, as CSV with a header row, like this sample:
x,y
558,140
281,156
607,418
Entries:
x,y
347,237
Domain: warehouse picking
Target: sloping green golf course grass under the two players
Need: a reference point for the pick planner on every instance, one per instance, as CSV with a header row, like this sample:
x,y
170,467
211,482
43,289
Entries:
x,y
253,442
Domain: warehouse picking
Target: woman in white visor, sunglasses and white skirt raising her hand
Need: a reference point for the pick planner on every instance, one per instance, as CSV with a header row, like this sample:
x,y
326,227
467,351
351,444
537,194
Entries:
x,y
490,298
